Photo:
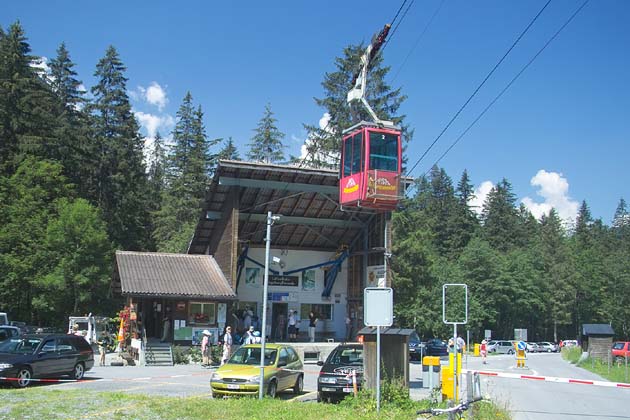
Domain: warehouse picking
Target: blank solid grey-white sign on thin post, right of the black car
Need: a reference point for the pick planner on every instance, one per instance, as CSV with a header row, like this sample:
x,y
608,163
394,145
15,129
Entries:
x,y
378,312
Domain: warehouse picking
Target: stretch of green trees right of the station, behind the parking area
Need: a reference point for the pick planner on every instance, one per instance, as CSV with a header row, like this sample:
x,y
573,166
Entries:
x,y
542,275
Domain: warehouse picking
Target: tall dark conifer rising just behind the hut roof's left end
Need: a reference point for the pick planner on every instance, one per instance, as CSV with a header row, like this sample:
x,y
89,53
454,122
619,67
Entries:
x,y
120,172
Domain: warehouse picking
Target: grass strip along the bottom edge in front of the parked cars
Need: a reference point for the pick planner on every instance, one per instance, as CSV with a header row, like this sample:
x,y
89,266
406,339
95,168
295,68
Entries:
x,y
39,402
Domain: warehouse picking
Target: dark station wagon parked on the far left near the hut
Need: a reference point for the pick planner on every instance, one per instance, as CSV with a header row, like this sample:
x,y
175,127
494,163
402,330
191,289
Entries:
x,y
44,356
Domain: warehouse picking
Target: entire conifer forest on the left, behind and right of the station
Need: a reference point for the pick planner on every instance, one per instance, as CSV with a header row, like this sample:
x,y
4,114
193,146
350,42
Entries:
x,y
76,183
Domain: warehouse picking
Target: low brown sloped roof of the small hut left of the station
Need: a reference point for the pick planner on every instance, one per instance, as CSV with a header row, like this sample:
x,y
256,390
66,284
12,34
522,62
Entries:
x,y
172,275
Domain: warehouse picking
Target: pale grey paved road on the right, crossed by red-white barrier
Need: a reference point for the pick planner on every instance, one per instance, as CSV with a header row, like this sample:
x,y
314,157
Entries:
x,y
540,400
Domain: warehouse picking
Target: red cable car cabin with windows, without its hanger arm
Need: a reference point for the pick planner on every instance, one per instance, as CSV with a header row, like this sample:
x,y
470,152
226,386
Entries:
x,y
371,167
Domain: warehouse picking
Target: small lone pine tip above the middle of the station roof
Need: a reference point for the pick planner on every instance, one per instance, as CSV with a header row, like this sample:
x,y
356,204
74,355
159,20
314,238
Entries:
x,y
266,145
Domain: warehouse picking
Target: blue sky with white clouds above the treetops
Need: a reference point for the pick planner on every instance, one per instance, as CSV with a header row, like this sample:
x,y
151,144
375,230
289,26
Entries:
x,y
558,134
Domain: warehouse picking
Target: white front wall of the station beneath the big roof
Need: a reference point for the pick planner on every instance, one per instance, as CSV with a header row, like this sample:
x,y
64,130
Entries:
x,y
292,259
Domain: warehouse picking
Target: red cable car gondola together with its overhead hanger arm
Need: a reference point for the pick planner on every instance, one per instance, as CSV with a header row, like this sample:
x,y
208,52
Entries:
x,y
371,152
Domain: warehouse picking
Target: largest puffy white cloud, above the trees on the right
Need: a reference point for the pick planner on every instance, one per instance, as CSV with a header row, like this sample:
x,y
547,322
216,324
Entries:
x,y
554,189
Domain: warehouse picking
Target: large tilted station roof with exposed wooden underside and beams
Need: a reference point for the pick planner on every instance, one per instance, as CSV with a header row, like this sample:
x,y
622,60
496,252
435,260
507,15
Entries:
x,y
307,200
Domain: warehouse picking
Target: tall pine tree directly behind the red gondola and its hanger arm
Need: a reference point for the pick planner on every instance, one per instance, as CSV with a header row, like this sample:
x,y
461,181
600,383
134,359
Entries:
x,y
323,144
